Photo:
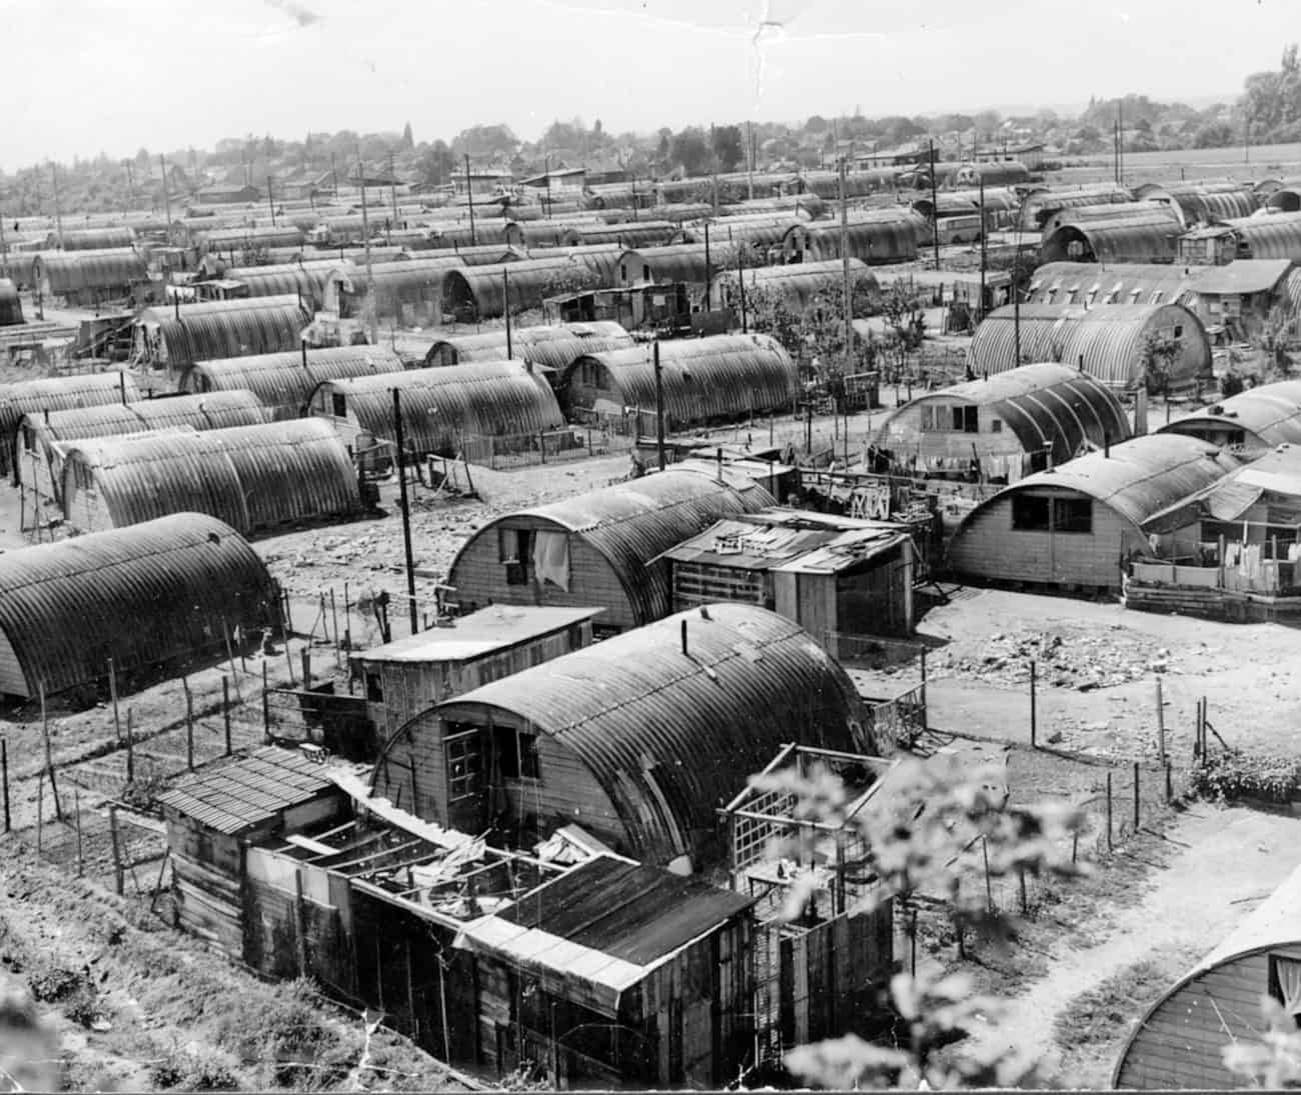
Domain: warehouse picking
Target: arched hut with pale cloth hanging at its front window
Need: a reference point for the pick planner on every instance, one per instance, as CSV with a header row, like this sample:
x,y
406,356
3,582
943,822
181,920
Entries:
x,y
598,549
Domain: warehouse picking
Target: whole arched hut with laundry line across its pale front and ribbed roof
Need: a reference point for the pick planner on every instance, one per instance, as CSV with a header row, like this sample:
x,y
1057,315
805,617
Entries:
x,y
1004,427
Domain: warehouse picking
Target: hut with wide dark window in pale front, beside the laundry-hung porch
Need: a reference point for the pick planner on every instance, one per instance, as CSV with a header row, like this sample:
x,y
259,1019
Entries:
x,y
1080,525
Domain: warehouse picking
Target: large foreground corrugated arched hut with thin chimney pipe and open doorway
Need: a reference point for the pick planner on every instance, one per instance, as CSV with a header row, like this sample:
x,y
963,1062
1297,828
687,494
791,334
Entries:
x,y
638,739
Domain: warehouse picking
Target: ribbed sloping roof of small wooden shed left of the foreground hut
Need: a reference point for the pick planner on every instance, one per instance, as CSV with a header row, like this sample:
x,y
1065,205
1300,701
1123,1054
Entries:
x,y
239,795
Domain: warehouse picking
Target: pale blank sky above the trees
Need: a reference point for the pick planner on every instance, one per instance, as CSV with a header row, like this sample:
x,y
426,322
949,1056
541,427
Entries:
x,y
90,76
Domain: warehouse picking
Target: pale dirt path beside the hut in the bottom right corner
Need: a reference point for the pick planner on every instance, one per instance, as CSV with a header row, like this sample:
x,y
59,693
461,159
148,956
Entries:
x,y
1247,854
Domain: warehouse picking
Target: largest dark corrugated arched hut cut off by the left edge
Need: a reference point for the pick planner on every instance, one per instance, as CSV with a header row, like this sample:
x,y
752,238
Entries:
x,y
141,596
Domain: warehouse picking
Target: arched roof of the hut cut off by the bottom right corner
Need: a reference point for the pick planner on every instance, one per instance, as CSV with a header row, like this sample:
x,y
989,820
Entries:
x,y
1272,927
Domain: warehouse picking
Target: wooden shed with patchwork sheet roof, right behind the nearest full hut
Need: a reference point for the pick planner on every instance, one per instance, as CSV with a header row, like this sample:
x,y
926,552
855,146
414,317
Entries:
x,y
831,574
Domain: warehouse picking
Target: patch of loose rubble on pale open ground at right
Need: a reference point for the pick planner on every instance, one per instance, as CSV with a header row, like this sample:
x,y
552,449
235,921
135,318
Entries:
x,y
1064,657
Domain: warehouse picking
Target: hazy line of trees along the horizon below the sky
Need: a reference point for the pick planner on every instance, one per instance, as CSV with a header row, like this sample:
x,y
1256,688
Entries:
x,y
1269,111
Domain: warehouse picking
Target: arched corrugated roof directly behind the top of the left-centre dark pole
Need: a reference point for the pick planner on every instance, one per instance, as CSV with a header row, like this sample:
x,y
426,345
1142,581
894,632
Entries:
x,y
440,406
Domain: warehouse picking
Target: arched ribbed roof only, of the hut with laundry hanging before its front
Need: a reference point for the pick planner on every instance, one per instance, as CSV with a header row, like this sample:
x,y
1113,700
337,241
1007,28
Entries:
x,y
1044,404
